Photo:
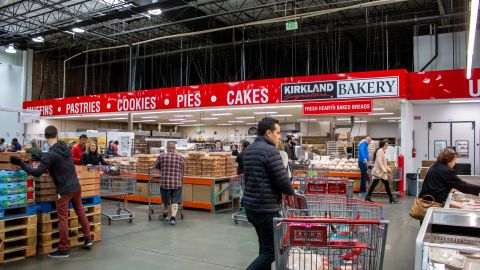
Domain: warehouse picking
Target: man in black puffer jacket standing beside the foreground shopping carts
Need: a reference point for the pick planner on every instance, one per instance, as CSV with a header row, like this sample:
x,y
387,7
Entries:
x,y
265,181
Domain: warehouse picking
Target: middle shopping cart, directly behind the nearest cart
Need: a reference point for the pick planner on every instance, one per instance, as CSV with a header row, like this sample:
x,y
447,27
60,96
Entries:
x,y
327,206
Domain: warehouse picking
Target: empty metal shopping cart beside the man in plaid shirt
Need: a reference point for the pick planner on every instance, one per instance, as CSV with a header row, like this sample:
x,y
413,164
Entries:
x,y
117,181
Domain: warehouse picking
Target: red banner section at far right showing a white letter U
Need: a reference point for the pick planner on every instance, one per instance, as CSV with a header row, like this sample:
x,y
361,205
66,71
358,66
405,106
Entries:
x,y
443,84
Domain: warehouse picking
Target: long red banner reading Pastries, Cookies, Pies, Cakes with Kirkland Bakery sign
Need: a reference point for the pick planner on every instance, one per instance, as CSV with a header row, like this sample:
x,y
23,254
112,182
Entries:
x,y
372,85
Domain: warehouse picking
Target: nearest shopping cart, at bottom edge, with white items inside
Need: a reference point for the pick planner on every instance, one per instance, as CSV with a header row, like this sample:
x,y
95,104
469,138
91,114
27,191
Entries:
x,y
312,243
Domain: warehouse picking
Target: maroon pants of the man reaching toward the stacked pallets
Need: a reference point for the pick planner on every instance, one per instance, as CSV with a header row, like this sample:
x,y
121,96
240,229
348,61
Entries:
x,y
62,212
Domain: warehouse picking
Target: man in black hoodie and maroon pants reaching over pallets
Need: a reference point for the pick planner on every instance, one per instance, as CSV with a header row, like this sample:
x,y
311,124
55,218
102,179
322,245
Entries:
x,y
59,163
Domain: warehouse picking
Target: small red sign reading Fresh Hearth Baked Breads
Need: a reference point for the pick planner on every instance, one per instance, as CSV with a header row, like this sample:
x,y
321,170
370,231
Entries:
x,y
338,107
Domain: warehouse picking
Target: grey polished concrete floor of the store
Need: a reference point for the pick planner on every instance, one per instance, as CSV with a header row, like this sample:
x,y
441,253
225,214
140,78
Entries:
x,y
201,241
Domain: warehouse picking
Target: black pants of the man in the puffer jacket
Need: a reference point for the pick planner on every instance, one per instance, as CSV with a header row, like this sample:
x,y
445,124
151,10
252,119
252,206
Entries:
x,y
263,224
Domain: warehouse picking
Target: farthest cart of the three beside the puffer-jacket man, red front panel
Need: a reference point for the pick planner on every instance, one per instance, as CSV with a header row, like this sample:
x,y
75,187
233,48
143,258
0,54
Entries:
x,y
326,185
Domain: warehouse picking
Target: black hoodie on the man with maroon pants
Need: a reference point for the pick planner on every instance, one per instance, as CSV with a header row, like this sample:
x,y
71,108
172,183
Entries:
x,y
59,163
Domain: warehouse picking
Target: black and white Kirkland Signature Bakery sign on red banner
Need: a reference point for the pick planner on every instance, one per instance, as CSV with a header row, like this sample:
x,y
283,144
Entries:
x,y
351,89
